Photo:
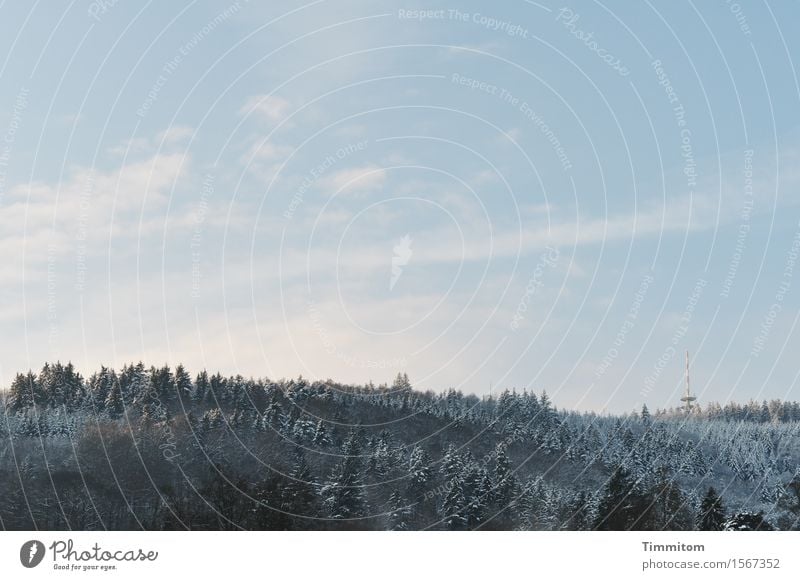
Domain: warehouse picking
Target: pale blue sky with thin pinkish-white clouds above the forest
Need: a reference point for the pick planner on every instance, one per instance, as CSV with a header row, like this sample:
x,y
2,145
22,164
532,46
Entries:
x,y
515,195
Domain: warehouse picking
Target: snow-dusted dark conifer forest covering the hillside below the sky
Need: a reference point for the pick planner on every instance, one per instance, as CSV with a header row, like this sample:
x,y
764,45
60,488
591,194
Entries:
x,y
159,449
